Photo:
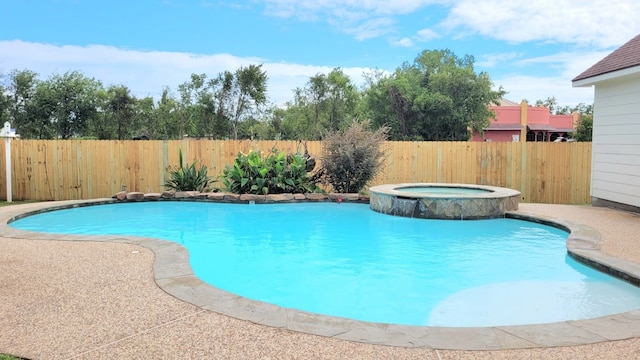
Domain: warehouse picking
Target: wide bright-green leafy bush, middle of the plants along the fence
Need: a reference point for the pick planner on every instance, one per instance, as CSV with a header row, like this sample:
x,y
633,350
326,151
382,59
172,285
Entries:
x,y
276,173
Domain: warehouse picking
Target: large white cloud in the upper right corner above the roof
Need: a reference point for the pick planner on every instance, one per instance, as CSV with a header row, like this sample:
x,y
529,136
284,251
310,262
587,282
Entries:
x,y
600,23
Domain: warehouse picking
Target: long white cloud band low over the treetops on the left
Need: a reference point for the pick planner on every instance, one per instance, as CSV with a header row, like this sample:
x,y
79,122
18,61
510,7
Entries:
x,y
147,73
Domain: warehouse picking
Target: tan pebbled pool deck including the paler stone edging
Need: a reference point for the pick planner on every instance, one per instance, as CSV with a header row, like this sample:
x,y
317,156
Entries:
x,y
64,297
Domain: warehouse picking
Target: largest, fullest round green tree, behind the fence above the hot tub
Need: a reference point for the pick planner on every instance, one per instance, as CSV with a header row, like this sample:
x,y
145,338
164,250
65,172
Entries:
x,y
437,97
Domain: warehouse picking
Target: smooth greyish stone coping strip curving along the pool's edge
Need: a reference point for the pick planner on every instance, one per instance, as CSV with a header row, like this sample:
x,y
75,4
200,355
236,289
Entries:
x,y
174,275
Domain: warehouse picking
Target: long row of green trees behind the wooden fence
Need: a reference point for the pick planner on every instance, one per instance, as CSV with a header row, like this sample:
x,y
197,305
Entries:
x,y
438,96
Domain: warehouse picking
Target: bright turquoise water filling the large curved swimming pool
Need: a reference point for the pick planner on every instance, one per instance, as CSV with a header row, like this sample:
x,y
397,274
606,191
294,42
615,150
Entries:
x,y
346,260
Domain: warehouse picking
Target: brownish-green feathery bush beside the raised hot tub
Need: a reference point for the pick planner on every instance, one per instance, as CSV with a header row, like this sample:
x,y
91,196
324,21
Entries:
x,y
350,160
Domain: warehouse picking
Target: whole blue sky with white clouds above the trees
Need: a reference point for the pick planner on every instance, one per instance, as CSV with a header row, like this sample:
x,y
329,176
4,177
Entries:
x,y
532,48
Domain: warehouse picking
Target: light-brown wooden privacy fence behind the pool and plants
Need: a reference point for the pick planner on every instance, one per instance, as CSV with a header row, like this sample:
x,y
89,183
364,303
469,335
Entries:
x,y
556,173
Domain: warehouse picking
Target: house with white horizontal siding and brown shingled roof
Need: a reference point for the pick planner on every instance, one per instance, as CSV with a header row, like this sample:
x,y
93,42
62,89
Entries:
x,y
615,167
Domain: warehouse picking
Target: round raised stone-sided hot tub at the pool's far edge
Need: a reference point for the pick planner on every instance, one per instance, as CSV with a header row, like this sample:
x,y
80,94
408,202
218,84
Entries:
x,y
443,201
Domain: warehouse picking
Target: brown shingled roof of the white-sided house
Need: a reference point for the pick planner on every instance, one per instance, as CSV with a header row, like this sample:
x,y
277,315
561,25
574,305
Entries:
x,y
626,56
